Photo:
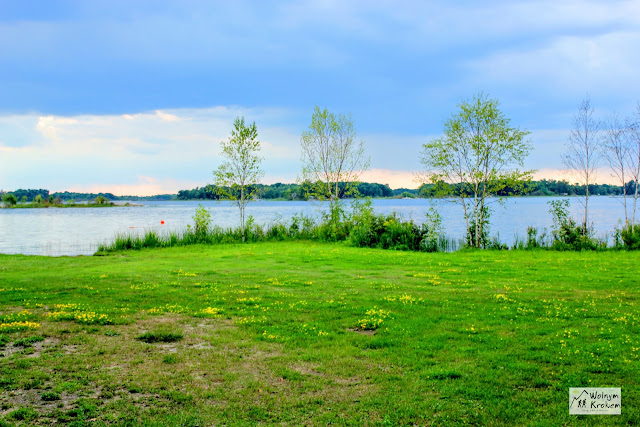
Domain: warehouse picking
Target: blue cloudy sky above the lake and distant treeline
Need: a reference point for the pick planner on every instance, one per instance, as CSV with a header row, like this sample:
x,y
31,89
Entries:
x,y
134,97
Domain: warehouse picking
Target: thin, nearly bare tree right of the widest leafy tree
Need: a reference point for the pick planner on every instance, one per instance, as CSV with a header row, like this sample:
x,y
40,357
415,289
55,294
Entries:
x,y
584,152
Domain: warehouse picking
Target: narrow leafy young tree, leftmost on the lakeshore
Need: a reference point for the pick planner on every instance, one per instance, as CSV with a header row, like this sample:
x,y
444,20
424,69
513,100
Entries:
x,y
234,178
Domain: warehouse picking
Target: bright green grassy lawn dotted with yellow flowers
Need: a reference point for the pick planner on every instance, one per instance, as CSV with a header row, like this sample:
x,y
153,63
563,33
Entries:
x,y
310,333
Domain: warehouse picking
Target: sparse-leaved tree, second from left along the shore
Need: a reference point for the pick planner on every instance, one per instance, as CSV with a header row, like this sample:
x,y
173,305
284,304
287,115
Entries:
x,y
332,158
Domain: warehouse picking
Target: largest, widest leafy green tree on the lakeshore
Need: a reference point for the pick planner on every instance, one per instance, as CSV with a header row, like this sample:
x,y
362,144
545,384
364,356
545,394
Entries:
x,y
474,160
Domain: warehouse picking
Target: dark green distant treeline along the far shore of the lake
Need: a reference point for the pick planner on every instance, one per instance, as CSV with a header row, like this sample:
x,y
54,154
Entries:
x,y
281,191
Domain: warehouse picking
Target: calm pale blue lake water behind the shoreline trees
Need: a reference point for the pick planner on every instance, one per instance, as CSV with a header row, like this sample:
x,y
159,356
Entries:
x,y
79,231
